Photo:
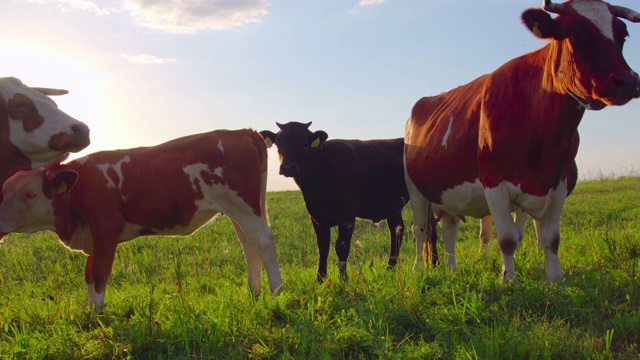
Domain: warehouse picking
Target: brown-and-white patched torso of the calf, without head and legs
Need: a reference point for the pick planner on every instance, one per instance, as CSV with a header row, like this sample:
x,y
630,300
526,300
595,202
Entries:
x,y
157,189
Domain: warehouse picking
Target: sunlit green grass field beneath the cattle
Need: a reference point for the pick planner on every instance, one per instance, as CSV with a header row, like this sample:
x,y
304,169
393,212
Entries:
x,y
187,297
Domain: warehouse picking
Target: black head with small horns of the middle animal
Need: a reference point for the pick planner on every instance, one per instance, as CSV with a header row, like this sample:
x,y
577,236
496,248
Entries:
x,y
294,142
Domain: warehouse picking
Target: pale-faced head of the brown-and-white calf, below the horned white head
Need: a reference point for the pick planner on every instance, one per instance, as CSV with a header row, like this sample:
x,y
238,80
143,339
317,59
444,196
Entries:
x,y
28,199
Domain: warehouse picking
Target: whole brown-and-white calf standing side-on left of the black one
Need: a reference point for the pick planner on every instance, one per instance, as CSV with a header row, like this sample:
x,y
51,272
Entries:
x,y
101,200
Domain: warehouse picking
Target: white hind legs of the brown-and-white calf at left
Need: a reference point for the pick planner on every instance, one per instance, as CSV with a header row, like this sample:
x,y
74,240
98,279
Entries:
x,y
258,245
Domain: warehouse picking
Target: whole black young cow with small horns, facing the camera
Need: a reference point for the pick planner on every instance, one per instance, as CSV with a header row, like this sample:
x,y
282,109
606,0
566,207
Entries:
x,y
342,180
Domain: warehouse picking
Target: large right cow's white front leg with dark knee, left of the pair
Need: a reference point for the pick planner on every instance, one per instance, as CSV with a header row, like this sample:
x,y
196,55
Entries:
x,y
499,202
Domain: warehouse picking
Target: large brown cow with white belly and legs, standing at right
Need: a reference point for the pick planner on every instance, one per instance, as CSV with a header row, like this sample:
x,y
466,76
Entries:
x,y
507,139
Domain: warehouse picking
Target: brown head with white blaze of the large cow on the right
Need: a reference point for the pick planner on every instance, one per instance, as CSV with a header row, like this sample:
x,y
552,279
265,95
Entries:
x,y
586,59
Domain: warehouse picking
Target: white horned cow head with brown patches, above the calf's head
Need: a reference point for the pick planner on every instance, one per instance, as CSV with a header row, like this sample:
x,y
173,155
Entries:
x,y
32,126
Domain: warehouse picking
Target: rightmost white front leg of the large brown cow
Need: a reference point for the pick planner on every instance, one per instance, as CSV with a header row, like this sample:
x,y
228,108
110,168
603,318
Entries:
x,y
549,232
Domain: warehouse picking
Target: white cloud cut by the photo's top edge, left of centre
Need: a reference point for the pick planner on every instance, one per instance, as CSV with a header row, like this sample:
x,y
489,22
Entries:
x,y
188,16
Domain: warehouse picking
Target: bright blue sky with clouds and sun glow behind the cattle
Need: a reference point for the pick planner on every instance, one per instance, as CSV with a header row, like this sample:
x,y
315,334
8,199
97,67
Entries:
x,y
141,72
